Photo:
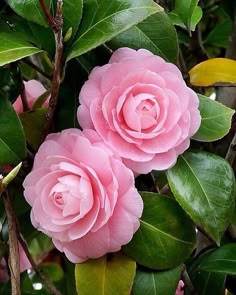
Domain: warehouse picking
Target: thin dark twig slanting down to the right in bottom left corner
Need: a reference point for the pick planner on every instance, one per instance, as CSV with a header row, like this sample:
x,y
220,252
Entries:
x,y
46,282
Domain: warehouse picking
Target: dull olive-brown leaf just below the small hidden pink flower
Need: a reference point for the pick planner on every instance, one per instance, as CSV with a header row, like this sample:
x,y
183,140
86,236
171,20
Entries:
x,y
33,123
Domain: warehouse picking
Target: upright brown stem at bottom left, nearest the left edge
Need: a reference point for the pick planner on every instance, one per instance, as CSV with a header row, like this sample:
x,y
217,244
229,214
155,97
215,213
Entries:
x,y
13,261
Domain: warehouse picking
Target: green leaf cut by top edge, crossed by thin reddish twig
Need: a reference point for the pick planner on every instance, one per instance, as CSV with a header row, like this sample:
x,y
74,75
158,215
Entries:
x,y
30,10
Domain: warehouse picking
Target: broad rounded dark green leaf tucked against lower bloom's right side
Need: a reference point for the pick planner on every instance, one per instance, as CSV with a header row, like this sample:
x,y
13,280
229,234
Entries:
x,y
166,236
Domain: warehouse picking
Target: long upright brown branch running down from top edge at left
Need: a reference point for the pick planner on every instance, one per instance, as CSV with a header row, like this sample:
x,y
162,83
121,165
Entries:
x,y
56,79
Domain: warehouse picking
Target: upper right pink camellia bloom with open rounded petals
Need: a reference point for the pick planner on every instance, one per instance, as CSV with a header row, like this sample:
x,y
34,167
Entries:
x,y
140,104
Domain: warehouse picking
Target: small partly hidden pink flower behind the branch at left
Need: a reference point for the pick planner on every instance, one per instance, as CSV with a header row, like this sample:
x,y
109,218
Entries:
x,y
33,89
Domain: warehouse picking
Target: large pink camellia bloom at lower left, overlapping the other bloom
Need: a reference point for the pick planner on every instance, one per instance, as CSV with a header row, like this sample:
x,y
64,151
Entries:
x,y
82,195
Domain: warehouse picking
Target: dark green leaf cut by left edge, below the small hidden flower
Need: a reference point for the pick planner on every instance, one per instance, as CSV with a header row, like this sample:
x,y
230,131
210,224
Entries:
x,y
12,139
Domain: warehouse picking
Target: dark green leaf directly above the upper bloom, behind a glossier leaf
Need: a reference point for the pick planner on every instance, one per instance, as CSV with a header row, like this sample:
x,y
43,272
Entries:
x,y
156,33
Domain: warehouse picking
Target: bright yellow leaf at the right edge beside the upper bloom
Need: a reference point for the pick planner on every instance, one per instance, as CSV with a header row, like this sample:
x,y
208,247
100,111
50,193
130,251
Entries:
x,y
215,71
